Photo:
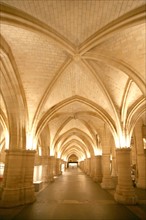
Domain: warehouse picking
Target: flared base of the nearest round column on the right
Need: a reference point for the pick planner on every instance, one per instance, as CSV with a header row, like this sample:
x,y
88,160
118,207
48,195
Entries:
x,y
126,197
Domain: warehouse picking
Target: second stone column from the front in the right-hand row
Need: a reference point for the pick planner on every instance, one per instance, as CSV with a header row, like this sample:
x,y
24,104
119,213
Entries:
x,y
107,182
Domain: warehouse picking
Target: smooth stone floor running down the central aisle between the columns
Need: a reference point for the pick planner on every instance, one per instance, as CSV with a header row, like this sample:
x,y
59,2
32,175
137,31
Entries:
x,y
74,196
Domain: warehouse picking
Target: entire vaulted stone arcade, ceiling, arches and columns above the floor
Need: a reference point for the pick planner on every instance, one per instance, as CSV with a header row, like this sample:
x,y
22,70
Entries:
x,y
72,89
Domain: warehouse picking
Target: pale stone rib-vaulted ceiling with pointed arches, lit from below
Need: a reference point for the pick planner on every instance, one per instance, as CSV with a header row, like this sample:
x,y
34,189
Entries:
x,y
79,67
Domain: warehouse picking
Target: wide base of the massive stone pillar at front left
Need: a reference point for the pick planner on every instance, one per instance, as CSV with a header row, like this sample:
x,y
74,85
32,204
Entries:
x,y
17,197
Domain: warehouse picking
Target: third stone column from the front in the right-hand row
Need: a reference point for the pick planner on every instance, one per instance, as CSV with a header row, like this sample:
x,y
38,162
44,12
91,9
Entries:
x,y
98,169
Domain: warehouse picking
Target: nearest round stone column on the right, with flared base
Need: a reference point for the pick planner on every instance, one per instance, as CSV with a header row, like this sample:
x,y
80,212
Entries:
x,y
125,192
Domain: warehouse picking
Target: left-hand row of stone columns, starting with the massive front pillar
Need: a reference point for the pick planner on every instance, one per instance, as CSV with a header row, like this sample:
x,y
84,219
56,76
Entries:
x,y
17,186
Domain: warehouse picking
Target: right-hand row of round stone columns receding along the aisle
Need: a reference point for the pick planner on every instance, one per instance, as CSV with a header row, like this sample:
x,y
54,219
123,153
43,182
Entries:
x,y
99,168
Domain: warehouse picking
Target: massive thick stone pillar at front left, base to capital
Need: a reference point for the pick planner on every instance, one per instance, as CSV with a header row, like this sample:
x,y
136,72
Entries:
x,y
18,188
